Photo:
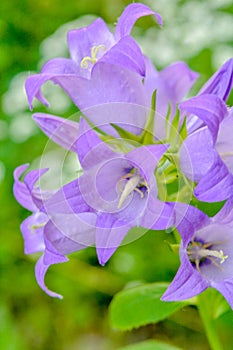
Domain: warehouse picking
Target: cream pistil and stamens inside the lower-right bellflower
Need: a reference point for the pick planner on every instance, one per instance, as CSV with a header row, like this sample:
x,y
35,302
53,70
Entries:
x,y
198,252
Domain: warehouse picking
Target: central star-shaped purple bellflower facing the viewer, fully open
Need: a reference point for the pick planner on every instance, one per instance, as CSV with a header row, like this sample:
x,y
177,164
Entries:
x,y
120,189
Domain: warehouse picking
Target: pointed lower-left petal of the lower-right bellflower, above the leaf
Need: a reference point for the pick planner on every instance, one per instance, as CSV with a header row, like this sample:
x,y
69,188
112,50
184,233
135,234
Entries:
x,y
187,283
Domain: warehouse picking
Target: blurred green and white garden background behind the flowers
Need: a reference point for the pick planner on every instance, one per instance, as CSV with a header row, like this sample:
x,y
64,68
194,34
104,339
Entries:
x,y
32,32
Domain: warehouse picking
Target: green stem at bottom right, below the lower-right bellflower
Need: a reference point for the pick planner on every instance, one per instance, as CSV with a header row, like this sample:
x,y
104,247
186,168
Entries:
x,y
208,322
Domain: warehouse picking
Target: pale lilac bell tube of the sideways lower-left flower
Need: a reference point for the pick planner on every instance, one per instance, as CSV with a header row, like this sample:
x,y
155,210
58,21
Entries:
x,y
69,233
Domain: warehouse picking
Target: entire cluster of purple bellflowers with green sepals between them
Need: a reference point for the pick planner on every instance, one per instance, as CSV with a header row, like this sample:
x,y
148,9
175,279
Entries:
x,y
148,156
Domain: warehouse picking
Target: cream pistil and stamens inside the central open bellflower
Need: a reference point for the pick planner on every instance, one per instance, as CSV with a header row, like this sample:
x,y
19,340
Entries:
x,y
134,183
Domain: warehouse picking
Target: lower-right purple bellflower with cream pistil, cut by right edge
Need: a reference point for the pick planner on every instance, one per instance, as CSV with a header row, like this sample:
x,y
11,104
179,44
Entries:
x,y
206,257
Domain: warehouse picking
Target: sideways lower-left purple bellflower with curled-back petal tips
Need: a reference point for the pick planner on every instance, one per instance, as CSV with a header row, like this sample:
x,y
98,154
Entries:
x,y
47,234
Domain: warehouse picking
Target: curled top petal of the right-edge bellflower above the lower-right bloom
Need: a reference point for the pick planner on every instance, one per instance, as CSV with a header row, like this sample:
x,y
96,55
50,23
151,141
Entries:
x,y
209,108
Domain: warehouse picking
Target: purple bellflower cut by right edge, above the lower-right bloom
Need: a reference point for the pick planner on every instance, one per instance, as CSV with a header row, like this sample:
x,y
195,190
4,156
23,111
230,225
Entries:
x,y
206,154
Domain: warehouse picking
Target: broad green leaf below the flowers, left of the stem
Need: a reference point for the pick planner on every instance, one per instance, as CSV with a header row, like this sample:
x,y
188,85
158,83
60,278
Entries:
x,y
136,307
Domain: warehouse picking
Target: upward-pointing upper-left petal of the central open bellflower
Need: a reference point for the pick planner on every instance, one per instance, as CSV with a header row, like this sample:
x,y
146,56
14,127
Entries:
x,y
90,148
